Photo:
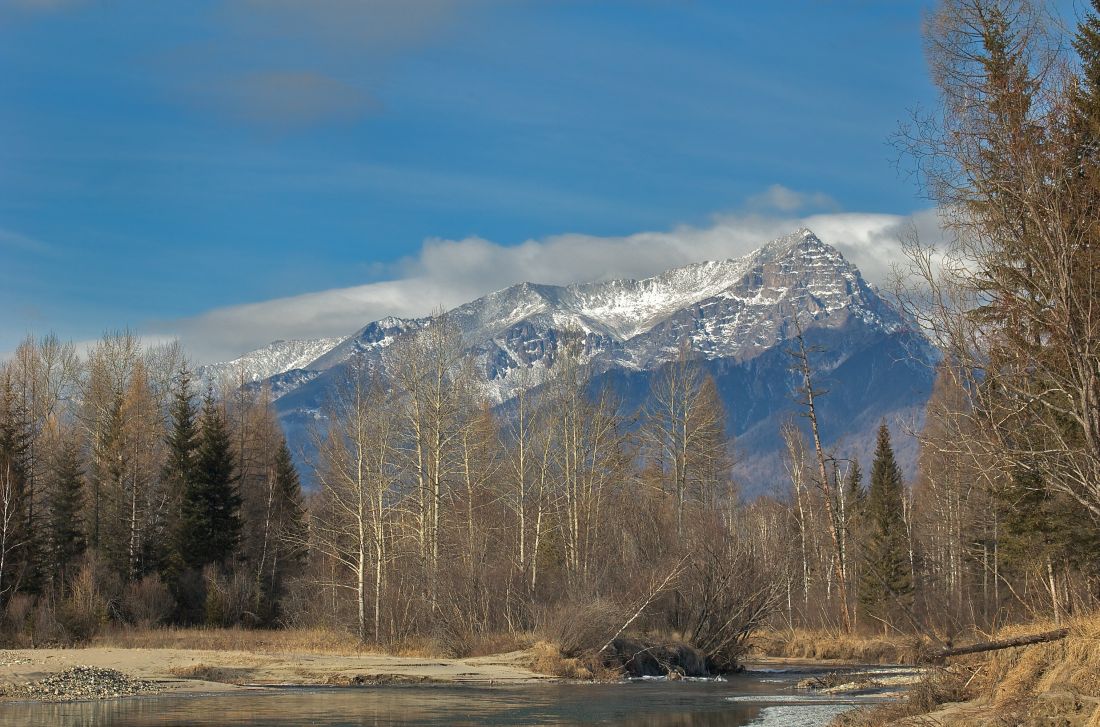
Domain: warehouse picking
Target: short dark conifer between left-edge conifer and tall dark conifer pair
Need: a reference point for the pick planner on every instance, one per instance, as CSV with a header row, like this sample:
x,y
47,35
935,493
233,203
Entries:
x,y
67,543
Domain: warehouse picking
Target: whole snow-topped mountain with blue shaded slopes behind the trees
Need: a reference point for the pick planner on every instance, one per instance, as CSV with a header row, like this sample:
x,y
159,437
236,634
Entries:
x,y
740,316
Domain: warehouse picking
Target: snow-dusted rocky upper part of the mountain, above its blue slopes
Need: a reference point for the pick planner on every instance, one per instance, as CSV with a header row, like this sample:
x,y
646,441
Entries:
x,y
732,310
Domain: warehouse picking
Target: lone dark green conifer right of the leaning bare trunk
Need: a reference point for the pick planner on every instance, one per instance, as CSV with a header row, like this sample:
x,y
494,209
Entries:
x,y
886,581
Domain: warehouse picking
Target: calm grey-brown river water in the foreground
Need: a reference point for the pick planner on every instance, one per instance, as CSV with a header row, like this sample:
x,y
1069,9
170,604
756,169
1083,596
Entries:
x,y
762,699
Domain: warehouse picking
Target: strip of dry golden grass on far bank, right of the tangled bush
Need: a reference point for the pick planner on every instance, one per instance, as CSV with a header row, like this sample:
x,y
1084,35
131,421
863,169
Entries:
x,y
822,645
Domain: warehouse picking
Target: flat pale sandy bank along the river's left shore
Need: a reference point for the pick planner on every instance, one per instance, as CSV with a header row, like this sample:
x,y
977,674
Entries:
x,y
183,670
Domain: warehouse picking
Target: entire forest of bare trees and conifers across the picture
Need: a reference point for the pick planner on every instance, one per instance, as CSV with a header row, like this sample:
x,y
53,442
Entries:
x,y
133,497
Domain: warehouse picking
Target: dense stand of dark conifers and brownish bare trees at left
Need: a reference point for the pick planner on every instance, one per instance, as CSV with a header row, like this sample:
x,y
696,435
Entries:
x,y
123,498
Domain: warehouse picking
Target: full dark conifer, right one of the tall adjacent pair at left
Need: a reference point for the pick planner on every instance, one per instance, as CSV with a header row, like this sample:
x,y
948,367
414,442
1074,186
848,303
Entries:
x,y
210,517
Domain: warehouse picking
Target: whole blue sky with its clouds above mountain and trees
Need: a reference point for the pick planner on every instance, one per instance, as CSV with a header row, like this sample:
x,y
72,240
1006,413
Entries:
x,y
172,167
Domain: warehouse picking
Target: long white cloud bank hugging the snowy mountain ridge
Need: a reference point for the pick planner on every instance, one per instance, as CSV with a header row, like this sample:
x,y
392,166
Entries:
x,y
452,272
